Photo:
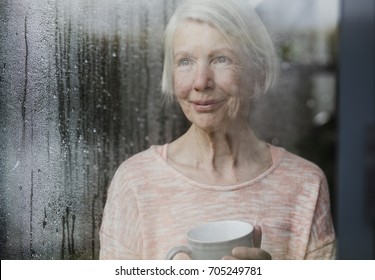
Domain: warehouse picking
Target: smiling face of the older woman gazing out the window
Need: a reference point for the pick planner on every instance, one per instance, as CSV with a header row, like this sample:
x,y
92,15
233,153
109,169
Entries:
x,y
207,76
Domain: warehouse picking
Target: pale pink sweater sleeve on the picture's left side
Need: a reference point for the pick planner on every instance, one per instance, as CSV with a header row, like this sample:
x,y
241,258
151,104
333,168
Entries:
x,y
120,232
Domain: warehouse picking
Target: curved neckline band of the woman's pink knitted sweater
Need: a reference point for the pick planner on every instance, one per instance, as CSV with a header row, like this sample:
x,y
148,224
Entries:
x,y
160,153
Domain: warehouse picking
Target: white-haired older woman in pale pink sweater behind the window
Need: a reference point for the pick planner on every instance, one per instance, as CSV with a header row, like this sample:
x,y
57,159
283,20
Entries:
x,y
218,59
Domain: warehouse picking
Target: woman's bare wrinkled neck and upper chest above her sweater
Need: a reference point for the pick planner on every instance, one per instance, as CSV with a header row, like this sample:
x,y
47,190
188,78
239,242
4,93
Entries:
x,y
228,156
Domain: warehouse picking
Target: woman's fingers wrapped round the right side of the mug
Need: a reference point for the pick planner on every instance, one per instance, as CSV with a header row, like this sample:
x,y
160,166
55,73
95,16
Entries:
x,y
251,253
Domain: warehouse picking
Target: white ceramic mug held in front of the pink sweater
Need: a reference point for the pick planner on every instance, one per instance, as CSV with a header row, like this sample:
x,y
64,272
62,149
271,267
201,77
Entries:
x,y
212,241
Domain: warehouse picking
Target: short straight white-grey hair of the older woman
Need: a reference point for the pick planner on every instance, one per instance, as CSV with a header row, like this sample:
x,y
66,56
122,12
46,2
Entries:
x,y
240,24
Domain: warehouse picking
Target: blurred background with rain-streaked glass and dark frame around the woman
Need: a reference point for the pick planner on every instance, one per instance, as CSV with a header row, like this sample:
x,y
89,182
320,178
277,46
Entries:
x,y
80,93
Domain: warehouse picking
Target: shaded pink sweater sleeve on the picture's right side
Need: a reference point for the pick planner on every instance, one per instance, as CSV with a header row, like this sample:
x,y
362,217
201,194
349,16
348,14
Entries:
x,y
322,243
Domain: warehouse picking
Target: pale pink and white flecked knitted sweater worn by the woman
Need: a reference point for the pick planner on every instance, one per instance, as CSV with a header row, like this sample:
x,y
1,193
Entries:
x,y
151,205
